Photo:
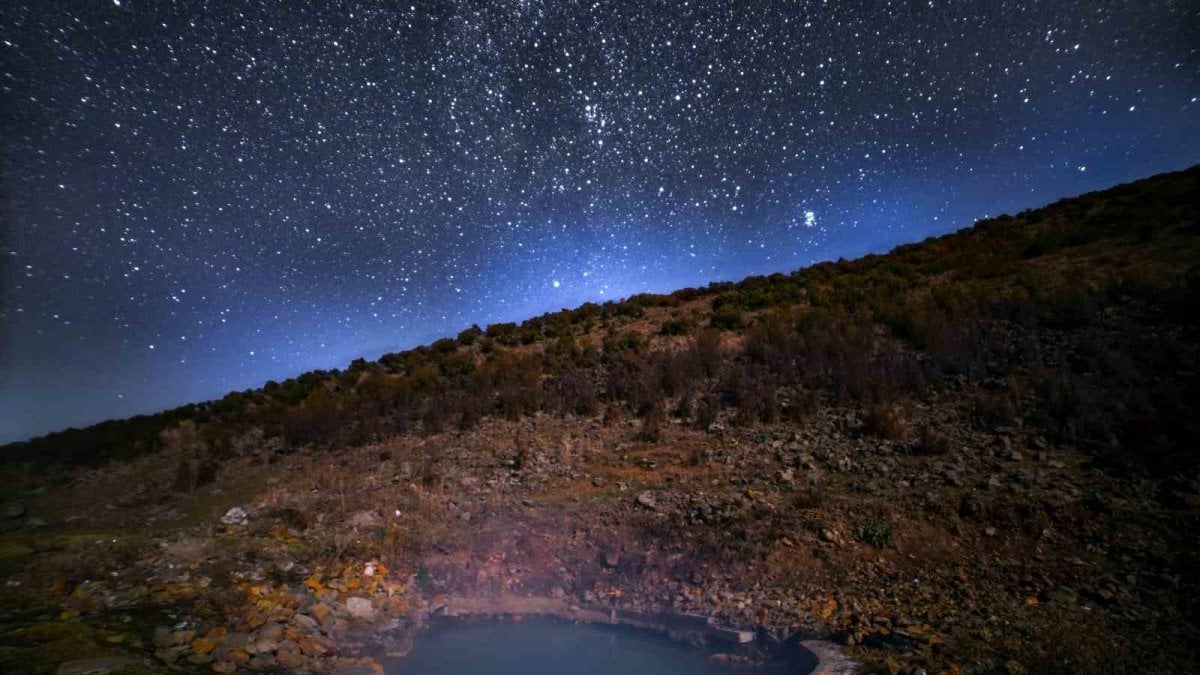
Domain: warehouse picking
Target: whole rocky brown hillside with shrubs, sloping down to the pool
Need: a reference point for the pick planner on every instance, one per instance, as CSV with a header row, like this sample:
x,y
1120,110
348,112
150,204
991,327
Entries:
x,y
977,453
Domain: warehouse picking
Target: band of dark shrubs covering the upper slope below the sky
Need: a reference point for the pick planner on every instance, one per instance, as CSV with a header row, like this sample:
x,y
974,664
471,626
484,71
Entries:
x,y
868,333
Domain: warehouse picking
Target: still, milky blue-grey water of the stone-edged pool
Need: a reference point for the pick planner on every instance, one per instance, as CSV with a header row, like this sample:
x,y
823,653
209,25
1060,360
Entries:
x,y
544,647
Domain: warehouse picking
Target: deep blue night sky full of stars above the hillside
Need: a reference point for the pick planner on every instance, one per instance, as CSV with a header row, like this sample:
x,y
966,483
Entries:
x,y
197,198
